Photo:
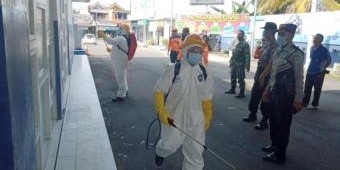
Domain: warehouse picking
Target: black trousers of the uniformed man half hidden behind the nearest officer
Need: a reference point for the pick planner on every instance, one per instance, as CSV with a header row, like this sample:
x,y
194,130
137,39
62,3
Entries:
x,y
256,96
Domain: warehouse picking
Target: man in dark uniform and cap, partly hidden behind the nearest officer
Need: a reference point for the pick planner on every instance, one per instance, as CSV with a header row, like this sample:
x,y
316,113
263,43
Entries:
x,y
261,77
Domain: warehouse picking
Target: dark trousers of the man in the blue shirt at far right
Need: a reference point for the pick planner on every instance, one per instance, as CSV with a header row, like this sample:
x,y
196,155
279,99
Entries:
x,y
315,80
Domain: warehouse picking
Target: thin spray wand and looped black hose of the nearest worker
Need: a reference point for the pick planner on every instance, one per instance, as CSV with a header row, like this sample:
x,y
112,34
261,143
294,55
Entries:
x,y
171,123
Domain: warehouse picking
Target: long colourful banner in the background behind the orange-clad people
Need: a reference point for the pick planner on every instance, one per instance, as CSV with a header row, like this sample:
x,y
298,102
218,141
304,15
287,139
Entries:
x,y
214,24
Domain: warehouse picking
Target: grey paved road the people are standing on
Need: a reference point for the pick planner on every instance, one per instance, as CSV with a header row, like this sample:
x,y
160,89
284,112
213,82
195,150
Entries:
x,y
315,135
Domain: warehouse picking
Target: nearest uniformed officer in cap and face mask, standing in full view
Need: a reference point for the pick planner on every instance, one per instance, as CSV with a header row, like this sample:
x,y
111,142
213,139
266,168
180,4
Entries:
x,y
284,92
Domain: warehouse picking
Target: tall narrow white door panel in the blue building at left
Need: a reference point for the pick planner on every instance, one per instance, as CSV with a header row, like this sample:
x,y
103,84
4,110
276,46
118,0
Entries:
x,y
41,82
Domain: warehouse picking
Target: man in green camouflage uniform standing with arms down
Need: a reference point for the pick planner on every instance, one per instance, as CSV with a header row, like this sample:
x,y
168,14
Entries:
x,y
239,61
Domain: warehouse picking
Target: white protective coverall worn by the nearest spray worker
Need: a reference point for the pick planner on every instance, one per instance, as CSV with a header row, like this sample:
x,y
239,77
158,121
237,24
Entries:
x,y
184,105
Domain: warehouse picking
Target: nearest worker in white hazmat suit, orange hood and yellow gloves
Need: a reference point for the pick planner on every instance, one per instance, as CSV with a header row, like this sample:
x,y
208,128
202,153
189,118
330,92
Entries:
x,y
188,105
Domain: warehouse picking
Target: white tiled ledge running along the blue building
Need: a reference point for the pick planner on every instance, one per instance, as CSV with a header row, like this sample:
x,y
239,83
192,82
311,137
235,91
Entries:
x,y
84,142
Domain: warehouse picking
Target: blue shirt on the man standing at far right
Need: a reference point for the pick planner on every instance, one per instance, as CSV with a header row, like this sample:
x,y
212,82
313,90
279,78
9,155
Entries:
x,y
320,59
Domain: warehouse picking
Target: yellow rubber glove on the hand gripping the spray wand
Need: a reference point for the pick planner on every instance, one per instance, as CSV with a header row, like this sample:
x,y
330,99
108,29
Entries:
x,y
163,114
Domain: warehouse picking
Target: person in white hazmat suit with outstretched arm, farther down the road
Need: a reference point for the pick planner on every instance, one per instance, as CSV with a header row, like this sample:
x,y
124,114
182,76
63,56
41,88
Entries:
x,y
119,60
